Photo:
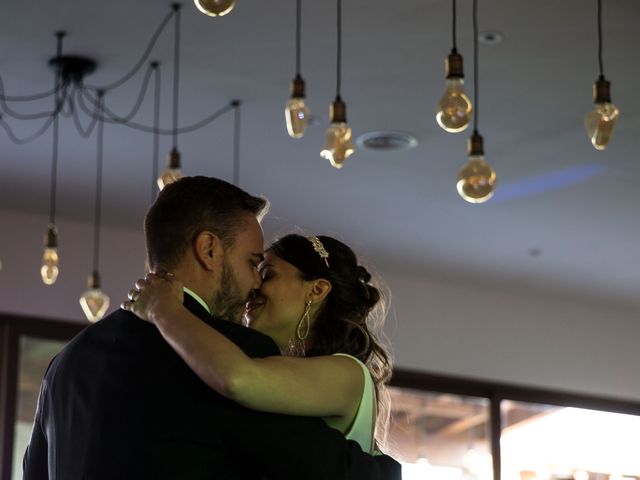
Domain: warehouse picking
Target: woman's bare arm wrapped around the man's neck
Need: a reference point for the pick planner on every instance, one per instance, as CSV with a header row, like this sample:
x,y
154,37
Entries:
x,y
314,386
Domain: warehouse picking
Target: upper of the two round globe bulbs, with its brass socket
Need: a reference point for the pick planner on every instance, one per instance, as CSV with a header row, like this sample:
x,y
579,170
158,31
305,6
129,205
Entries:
x,y
454,108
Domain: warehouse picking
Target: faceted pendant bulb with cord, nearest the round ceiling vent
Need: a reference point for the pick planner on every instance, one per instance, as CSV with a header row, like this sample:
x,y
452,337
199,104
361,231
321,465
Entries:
x,y
338,146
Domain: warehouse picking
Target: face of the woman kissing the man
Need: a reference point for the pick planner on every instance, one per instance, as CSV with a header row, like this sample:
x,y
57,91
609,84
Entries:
x,y
279,306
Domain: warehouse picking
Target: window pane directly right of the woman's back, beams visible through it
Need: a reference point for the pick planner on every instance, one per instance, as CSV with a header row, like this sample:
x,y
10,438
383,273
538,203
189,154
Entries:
x,y
440,436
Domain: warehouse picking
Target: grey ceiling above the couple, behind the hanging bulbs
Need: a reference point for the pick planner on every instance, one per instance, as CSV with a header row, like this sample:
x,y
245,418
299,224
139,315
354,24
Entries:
x,y
563,217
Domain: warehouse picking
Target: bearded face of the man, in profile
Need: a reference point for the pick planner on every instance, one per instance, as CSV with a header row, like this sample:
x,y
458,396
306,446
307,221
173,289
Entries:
x,y
239,275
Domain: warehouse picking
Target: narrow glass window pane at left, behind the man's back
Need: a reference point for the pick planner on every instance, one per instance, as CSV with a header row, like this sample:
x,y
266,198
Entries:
x,y
34,357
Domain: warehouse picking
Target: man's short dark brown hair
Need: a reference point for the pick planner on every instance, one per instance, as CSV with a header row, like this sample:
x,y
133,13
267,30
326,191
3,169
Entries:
x,y
190,206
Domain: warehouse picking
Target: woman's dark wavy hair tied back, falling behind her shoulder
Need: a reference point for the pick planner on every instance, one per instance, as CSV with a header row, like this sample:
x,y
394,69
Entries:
x,y
351,319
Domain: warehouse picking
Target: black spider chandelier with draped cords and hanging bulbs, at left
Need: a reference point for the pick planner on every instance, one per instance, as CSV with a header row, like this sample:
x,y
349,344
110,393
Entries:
x,y
73,97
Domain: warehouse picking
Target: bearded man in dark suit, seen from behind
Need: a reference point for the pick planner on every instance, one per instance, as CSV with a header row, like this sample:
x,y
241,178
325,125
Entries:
x,y
118,402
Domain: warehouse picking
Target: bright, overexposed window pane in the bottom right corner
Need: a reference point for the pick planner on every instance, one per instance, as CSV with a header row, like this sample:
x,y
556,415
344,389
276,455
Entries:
x,y
543,442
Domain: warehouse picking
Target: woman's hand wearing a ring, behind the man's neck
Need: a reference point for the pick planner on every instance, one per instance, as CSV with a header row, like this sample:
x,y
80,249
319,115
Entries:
x,y
155,297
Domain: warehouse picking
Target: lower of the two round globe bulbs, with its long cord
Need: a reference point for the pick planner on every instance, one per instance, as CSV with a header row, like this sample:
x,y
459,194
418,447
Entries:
x,y
476,179
